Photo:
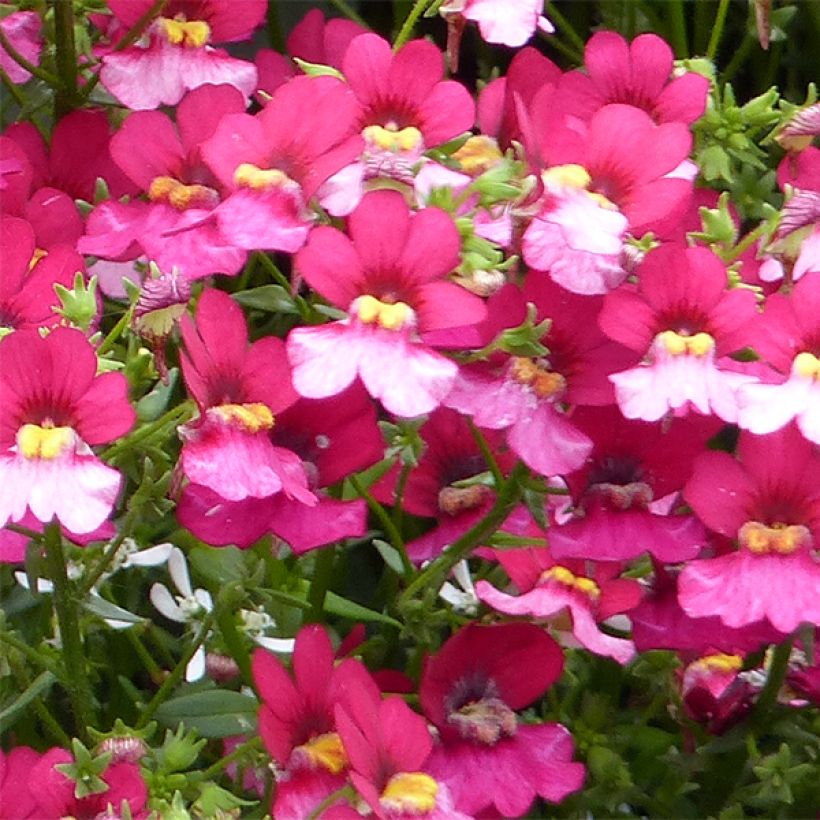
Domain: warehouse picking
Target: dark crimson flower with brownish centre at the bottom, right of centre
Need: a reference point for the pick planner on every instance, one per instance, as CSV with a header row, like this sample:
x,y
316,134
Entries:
x,y
470,689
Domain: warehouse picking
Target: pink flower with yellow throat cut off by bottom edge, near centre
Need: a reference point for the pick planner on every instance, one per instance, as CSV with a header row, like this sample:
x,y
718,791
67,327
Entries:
x,y
387,745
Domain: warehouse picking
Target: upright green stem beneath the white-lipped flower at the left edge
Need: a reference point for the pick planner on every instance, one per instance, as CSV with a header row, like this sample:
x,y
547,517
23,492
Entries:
x,y
65,605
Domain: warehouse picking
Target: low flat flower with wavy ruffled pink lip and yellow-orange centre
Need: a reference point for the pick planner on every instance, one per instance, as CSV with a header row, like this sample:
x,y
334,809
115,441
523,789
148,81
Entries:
x,y
547,588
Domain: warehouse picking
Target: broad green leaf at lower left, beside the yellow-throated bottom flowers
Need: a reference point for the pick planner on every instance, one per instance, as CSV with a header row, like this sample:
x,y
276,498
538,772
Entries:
x,y
213,714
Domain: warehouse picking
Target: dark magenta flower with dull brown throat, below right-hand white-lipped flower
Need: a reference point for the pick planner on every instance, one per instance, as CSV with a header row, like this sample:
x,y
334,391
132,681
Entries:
x,y
632,467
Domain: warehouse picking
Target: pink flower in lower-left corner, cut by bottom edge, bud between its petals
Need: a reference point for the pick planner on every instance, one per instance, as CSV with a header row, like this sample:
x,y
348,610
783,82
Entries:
x,y
54,791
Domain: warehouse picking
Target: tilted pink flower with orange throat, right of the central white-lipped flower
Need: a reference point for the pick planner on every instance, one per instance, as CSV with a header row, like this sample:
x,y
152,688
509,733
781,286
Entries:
x,y
525,396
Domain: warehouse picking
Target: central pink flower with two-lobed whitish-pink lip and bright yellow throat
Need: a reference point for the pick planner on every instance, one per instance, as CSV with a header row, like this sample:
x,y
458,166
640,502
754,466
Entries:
x,y
390,278
